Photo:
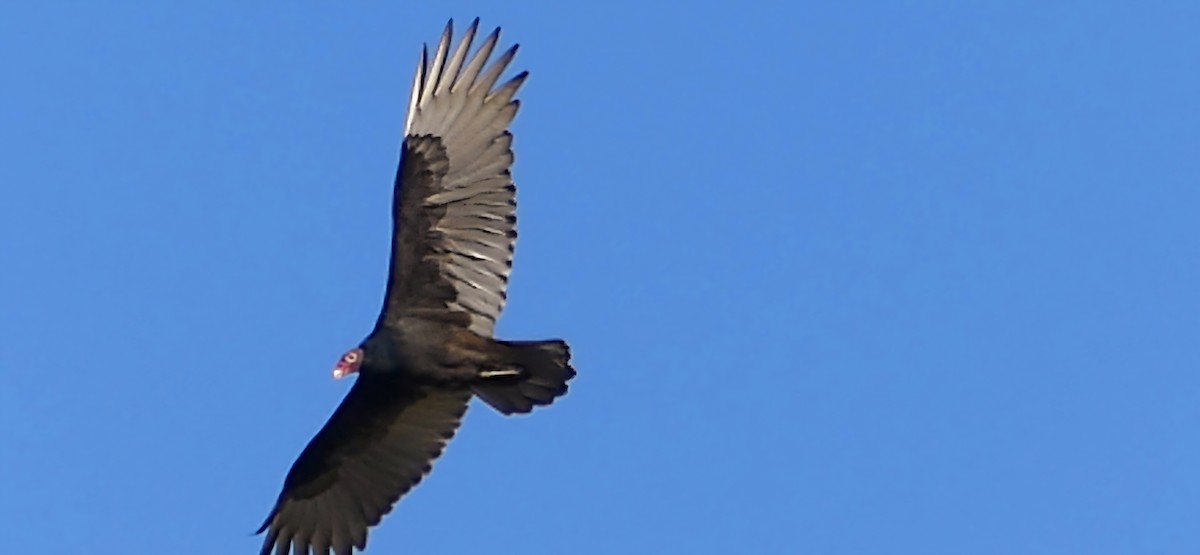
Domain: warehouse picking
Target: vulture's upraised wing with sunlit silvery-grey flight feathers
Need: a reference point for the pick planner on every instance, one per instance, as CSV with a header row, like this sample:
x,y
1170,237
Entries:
x,y
454,205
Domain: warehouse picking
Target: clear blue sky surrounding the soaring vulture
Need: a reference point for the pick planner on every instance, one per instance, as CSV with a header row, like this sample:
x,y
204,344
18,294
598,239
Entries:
x,y
855,278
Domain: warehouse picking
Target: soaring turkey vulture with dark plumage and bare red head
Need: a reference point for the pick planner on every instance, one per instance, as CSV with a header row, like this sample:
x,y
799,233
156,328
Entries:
x,y
454,229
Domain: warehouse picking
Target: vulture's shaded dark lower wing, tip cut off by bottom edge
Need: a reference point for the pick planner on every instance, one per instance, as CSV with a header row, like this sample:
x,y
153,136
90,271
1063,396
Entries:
x,y
377,446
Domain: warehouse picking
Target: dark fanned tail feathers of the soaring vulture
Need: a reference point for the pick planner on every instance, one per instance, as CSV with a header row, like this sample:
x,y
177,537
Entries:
x,y
544,369
